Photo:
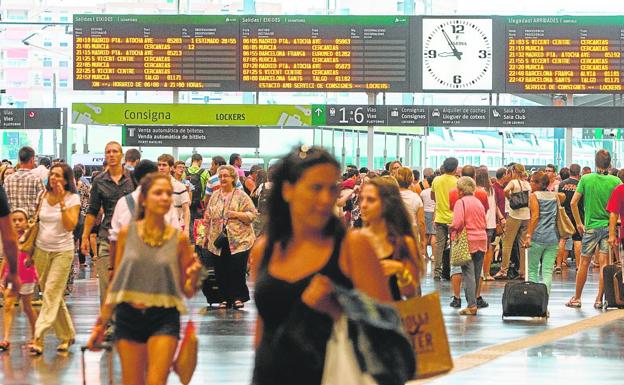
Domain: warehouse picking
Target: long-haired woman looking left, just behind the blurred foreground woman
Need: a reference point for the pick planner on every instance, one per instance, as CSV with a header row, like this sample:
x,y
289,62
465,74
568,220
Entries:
x,y
387,223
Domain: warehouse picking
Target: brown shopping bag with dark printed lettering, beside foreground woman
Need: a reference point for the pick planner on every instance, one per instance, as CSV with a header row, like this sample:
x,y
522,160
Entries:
x,y
424,324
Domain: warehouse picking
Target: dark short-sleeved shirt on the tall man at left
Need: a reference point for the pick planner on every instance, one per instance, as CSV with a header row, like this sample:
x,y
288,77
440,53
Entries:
x,y
105,193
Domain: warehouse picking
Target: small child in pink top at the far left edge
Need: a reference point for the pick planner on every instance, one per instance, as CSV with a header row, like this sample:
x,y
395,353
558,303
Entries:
x,y
28,278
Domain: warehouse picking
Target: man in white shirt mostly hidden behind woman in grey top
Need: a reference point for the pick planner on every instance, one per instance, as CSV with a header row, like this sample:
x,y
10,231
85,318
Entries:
x,y
126,206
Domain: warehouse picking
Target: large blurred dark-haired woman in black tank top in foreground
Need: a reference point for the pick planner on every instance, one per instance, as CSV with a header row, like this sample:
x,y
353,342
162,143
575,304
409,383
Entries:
x,y
305,253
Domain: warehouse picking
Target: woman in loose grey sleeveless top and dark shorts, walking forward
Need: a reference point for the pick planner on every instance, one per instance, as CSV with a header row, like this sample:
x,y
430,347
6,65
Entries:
x,y
155,268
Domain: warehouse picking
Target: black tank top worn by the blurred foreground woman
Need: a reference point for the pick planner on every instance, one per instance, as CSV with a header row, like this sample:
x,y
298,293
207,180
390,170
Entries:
x,y
278,303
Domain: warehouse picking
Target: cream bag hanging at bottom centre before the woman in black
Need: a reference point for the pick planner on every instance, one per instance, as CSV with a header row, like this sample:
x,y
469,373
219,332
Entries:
x,y
341,365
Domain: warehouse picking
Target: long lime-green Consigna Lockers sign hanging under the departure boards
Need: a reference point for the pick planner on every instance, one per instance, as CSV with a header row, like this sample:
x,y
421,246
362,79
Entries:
x,y
193,114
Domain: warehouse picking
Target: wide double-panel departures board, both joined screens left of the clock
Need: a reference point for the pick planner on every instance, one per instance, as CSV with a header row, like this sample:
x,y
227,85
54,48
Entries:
x,y
243,53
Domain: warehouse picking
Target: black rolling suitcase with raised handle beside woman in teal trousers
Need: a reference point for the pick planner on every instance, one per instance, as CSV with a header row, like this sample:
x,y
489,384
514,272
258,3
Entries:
x,y
525,299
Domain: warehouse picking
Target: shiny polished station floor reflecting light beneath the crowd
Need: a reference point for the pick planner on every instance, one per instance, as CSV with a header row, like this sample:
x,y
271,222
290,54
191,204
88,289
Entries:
x,y
592,355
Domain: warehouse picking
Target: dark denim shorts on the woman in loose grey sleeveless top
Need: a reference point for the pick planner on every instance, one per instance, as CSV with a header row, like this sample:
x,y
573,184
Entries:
x,y
138,325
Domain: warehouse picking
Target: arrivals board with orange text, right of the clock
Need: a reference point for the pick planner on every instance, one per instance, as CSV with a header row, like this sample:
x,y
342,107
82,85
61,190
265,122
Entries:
x,y
564,54
